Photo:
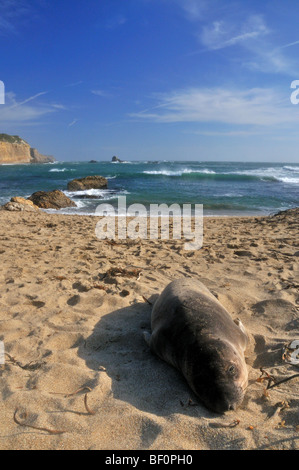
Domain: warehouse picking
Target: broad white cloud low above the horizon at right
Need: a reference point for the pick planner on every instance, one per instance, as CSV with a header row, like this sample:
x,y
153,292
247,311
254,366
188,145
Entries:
x,y
254,107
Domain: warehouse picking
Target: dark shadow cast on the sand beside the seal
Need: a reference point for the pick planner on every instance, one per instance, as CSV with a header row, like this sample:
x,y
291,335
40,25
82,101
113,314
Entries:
x,y
117,347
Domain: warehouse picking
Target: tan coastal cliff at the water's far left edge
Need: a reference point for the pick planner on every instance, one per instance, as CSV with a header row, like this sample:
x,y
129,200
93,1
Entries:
x,y
15,150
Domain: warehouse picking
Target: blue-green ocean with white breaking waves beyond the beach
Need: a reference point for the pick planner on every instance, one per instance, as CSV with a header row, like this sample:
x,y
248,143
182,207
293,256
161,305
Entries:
x,y
224,188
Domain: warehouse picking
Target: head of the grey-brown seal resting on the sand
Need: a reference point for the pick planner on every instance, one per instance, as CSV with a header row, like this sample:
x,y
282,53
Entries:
x,y
218,375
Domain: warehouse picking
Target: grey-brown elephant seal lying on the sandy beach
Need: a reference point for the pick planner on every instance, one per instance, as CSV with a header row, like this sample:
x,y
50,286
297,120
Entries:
x,y
193,332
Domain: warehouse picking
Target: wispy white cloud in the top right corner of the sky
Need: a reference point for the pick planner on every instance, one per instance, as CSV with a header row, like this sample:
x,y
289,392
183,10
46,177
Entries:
x,y
221,26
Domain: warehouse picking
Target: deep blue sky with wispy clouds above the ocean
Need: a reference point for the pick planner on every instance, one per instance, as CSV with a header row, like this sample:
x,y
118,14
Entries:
x,y
152,79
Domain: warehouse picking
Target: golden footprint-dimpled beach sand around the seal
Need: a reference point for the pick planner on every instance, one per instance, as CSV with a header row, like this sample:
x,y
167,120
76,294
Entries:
x,y
78,374
